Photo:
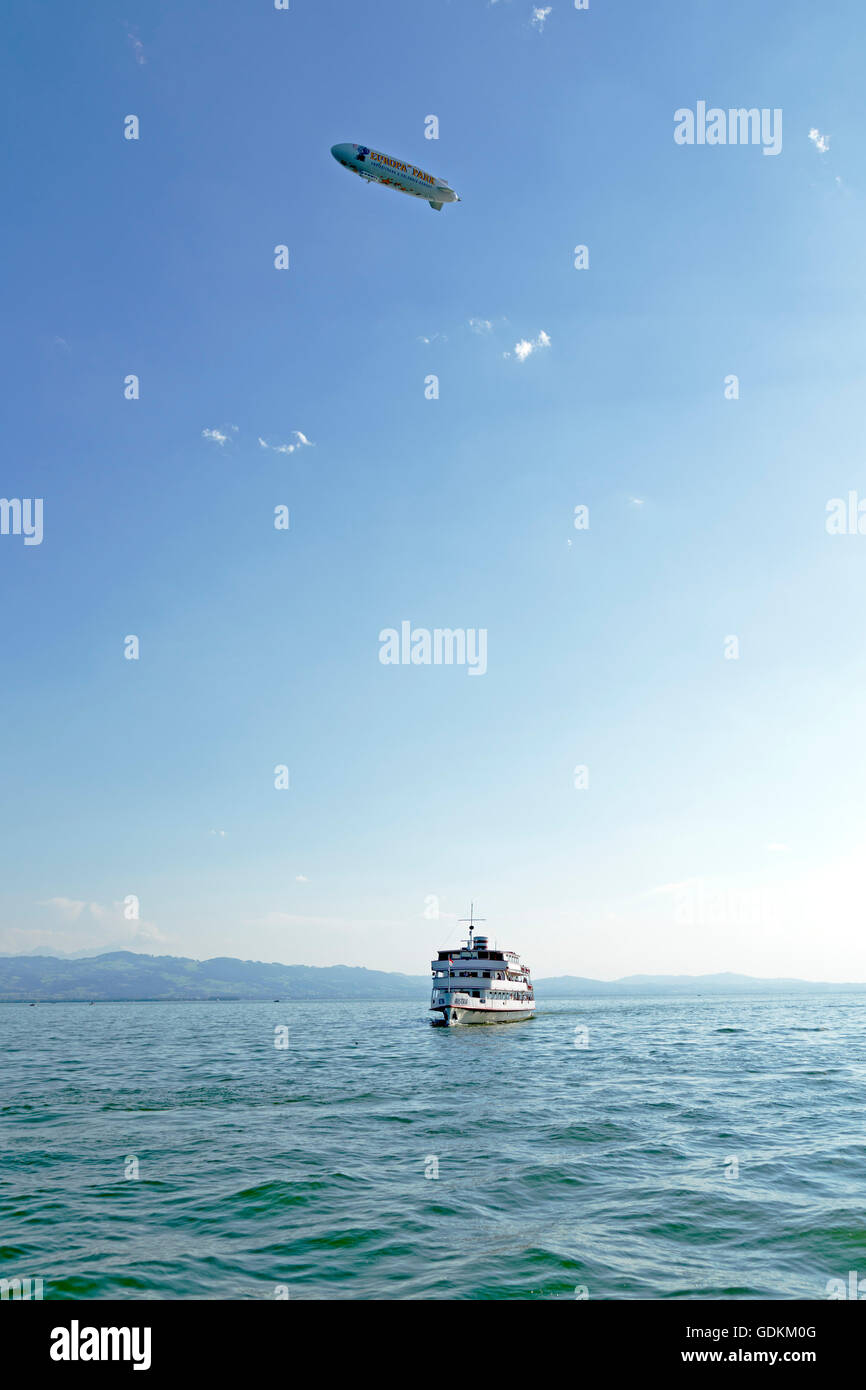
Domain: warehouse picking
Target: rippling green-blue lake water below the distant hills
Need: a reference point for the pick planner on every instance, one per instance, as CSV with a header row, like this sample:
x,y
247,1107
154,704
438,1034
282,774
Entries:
x,y
559,1167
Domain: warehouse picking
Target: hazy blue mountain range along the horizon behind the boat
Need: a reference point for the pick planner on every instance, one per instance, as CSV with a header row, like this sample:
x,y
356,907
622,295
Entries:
x,y
126,975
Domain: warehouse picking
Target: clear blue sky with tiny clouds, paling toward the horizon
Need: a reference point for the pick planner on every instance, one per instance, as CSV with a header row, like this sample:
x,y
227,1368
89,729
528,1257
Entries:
x,y
662,767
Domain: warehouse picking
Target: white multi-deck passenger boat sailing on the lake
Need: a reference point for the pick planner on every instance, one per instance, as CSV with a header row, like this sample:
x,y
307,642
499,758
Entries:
x,y
480,985
